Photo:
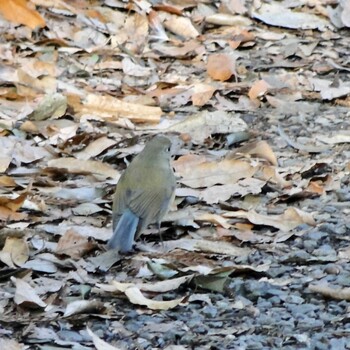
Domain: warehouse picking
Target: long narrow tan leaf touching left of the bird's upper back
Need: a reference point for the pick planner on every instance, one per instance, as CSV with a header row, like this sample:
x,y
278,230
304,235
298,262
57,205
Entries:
x,y
76,166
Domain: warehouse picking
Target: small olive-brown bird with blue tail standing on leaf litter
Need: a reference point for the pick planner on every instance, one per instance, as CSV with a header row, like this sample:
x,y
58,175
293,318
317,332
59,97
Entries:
x,y
143,194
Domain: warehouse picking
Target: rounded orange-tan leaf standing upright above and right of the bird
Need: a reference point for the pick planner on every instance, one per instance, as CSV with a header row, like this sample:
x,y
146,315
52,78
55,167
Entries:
x,y
221,67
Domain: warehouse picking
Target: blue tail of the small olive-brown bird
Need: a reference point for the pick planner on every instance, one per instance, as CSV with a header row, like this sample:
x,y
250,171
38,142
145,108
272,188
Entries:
x,y
124,233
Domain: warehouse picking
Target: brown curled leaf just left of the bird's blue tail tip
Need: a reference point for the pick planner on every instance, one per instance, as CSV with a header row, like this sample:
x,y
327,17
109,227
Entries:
x,y
74,245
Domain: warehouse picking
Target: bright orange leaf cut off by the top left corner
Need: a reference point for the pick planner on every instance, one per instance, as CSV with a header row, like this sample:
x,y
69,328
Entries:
x,y
17,11
